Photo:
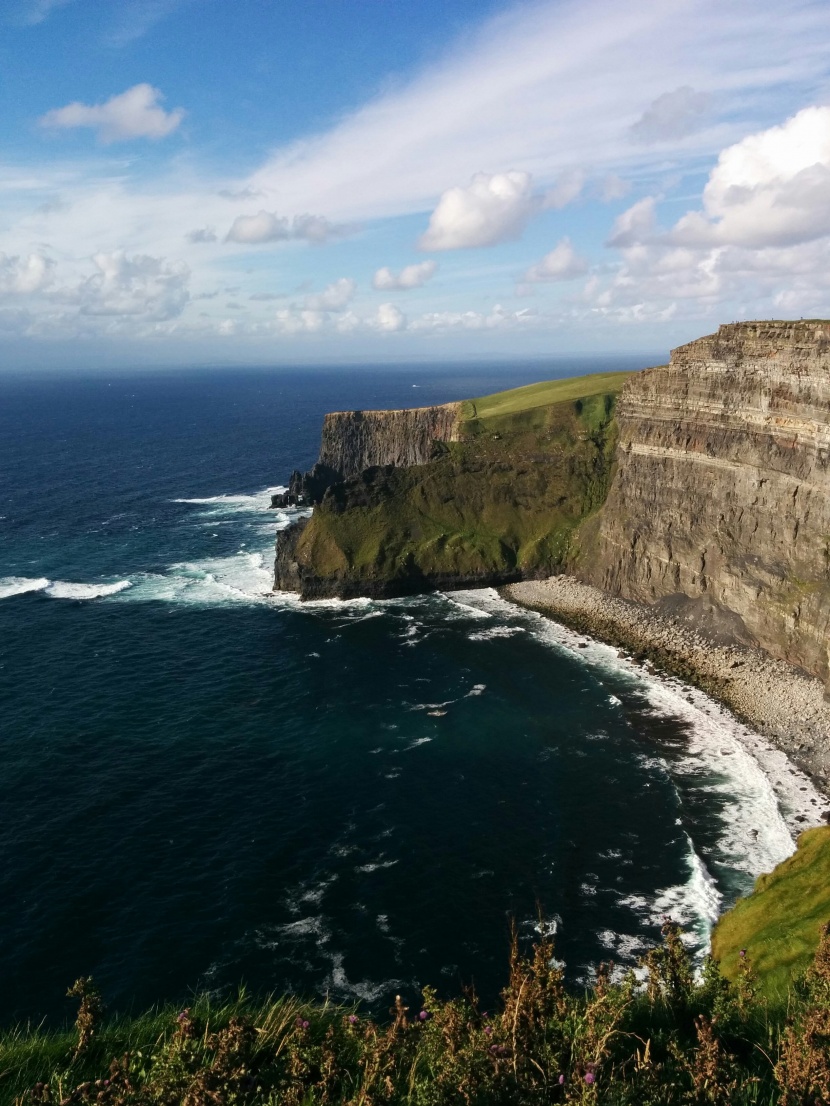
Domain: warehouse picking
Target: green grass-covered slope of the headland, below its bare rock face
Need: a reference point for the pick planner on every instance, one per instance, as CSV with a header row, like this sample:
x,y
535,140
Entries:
x,y
501,504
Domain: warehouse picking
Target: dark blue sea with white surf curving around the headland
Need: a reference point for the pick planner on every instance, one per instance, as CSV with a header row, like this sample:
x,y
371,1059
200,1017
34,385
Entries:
x,y
204,786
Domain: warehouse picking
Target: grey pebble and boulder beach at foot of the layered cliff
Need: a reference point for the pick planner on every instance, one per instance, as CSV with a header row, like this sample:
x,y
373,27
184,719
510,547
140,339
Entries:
x,y
775,700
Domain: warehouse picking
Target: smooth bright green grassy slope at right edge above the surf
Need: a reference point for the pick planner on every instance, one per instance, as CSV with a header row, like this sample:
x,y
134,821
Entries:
x,y
779,924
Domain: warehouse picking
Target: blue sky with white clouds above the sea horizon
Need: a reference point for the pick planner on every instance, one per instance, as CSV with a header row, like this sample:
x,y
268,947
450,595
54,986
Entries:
x,y
287,182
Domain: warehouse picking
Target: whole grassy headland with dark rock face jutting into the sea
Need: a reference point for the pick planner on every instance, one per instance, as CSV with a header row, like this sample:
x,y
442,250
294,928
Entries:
x,y
469,495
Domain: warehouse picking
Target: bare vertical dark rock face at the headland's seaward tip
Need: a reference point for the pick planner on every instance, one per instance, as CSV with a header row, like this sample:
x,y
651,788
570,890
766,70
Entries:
x,y
357,441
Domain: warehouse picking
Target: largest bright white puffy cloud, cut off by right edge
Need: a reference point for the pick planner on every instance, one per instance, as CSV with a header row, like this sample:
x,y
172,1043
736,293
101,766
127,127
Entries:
x,y
773,189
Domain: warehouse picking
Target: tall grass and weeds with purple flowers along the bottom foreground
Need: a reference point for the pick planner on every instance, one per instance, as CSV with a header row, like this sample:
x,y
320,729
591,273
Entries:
x,y
676,1040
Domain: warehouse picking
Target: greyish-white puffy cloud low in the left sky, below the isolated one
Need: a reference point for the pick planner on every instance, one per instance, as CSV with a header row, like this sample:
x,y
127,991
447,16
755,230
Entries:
x,y
152,288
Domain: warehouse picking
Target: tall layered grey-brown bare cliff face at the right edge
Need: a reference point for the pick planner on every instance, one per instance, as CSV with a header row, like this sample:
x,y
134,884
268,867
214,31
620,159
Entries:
x,y
721,505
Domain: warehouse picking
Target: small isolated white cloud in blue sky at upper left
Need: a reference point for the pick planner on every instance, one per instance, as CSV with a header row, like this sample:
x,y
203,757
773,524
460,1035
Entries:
x,y
132,114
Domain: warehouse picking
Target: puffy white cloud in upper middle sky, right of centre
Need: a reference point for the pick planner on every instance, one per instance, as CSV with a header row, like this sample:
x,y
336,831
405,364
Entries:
x,y
491,210
